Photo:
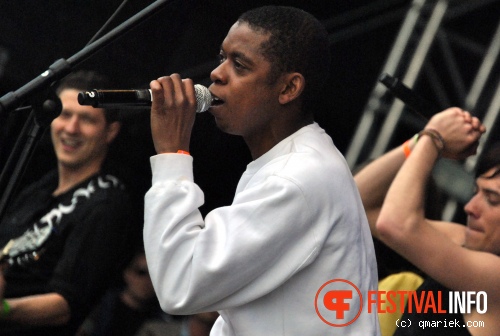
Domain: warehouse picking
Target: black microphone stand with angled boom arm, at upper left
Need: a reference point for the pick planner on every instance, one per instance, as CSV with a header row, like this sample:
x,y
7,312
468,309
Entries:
x,y
46,106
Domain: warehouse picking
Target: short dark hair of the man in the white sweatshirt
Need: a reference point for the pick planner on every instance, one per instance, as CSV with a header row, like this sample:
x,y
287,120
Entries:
x,y
298,42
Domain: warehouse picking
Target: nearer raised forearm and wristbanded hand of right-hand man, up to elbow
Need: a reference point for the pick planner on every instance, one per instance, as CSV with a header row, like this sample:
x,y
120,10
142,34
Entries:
x,y
452,133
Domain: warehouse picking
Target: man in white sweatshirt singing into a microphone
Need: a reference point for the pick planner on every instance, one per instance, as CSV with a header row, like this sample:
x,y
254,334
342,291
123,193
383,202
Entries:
x,y
296,220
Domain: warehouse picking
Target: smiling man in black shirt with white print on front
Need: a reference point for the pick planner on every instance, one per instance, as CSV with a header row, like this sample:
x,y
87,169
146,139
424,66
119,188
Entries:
x,y
77,221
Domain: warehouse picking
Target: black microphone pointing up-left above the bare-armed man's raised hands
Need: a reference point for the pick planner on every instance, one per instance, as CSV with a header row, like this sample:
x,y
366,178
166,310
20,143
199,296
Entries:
x,y
416,103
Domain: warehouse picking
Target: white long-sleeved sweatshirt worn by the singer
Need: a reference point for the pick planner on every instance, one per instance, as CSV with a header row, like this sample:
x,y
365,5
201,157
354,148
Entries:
x,y
296,222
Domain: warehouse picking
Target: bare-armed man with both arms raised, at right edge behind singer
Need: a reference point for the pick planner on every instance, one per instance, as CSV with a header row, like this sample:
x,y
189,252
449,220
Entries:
x,y
455,257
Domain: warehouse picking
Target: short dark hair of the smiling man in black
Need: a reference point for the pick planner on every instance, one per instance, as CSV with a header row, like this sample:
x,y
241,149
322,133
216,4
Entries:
x,y
84,80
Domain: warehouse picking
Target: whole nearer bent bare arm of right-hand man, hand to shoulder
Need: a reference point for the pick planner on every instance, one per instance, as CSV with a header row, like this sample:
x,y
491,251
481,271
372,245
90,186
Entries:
x,y
402,223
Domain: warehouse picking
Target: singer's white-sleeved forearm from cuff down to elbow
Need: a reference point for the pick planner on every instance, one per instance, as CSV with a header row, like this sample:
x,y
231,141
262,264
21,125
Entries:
x,y
171,227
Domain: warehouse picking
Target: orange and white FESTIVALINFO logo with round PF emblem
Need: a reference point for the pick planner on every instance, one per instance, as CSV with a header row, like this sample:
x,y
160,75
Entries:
x,y
339,302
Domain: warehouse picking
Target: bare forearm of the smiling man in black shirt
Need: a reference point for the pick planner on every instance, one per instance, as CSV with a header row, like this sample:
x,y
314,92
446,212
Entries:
x,y
34,310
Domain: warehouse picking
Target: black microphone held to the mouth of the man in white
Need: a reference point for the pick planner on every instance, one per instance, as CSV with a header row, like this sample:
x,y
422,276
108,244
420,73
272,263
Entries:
x,y
136,98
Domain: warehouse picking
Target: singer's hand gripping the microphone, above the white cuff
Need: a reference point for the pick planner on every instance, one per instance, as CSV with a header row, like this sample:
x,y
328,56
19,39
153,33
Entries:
x,y
173,113
